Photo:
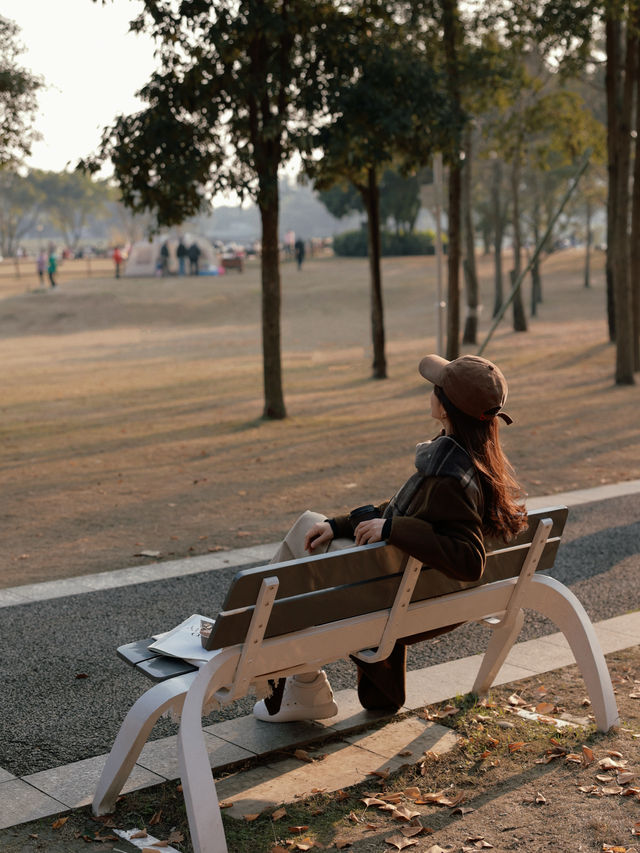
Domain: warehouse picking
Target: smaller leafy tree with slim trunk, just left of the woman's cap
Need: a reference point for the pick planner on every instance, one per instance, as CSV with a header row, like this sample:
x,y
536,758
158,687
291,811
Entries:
x,y
376,123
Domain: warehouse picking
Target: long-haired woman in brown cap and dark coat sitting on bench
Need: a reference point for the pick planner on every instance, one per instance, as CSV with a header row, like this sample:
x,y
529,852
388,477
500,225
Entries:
x,y
463,490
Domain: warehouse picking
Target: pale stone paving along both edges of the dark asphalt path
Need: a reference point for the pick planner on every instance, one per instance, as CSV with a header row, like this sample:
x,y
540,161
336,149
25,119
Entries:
x,y
352,754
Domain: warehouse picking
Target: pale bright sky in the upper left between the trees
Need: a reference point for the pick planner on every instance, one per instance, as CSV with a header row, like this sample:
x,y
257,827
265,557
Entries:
x,y
91,68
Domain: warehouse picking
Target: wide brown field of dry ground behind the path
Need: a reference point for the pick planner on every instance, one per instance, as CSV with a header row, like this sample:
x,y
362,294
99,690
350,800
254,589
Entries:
x,y
130,414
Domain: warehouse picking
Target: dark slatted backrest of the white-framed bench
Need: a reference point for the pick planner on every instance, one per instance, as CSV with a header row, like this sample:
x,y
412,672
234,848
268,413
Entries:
x,y
339,585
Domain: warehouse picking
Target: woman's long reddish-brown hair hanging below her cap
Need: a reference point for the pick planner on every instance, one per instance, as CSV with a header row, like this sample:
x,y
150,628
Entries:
x,y
504,514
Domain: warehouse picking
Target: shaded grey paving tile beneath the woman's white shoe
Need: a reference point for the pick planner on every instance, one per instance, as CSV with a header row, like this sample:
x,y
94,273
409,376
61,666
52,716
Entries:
x,y
262,738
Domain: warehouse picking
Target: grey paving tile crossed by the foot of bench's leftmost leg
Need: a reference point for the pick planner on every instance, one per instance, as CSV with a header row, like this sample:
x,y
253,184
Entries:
x,y
75,784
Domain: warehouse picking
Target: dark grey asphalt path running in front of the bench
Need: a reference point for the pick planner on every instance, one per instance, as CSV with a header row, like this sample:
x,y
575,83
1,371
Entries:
x,y
64,693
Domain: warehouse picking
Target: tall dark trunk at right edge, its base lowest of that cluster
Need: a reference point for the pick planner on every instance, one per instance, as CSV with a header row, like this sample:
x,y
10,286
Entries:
x,y
621,259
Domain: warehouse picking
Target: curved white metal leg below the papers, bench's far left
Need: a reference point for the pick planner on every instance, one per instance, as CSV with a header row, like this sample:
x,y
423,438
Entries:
x,y
133,735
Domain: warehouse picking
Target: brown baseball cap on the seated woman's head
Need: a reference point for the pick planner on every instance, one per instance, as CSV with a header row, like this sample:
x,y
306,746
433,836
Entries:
x,y
474,385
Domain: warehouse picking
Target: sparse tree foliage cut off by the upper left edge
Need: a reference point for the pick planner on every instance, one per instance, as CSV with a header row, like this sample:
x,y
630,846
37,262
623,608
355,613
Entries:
x,y
18,104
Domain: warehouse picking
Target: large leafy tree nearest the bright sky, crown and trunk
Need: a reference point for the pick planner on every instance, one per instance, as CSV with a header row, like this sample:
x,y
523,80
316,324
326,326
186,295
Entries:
x,y
239,87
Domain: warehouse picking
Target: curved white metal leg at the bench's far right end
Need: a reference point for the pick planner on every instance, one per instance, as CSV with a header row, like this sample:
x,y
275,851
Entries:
x,y
559,604
